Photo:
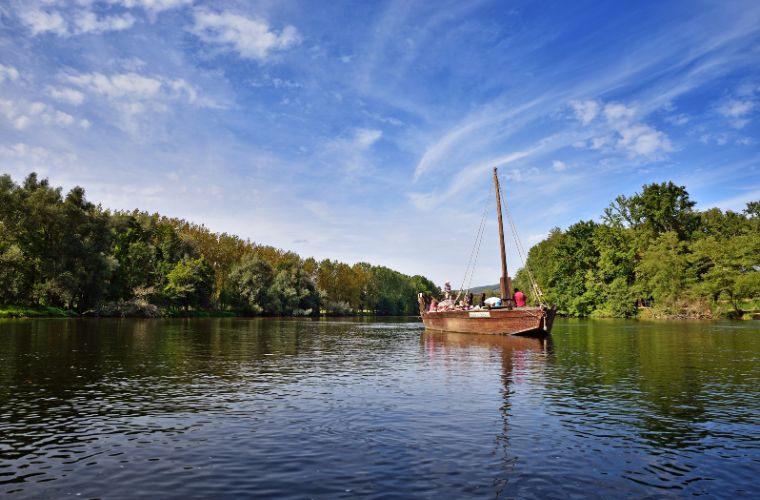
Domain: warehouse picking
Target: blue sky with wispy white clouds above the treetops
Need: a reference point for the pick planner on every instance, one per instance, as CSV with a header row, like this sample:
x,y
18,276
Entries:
x,y
366,131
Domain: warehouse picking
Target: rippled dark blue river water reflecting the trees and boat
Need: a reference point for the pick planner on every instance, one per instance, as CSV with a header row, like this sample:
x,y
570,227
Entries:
x,y
340,409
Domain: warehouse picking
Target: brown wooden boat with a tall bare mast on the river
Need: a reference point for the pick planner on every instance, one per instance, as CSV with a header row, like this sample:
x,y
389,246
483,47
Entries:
x,y
504,320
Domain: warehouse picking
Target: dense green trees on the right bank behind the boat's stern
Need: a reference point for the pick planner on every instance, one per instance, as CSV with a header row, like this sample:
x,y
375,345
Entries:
x,y
654,253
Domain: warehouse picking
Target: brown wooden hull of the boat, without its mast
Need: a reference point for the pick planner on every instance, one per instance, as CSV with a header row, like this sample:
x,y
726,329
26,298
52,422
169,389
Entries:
x,y
502,321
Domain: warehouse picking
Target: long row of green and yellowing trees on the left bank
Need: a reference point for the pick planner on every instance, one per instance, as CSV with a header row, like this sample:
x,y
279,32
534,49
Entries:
x,y
63,251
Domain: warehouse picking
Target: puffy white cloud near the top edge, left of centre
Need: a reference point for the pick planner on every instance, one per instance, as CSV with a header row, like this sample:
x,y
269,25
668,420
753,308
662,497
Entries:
x,y
249,38
